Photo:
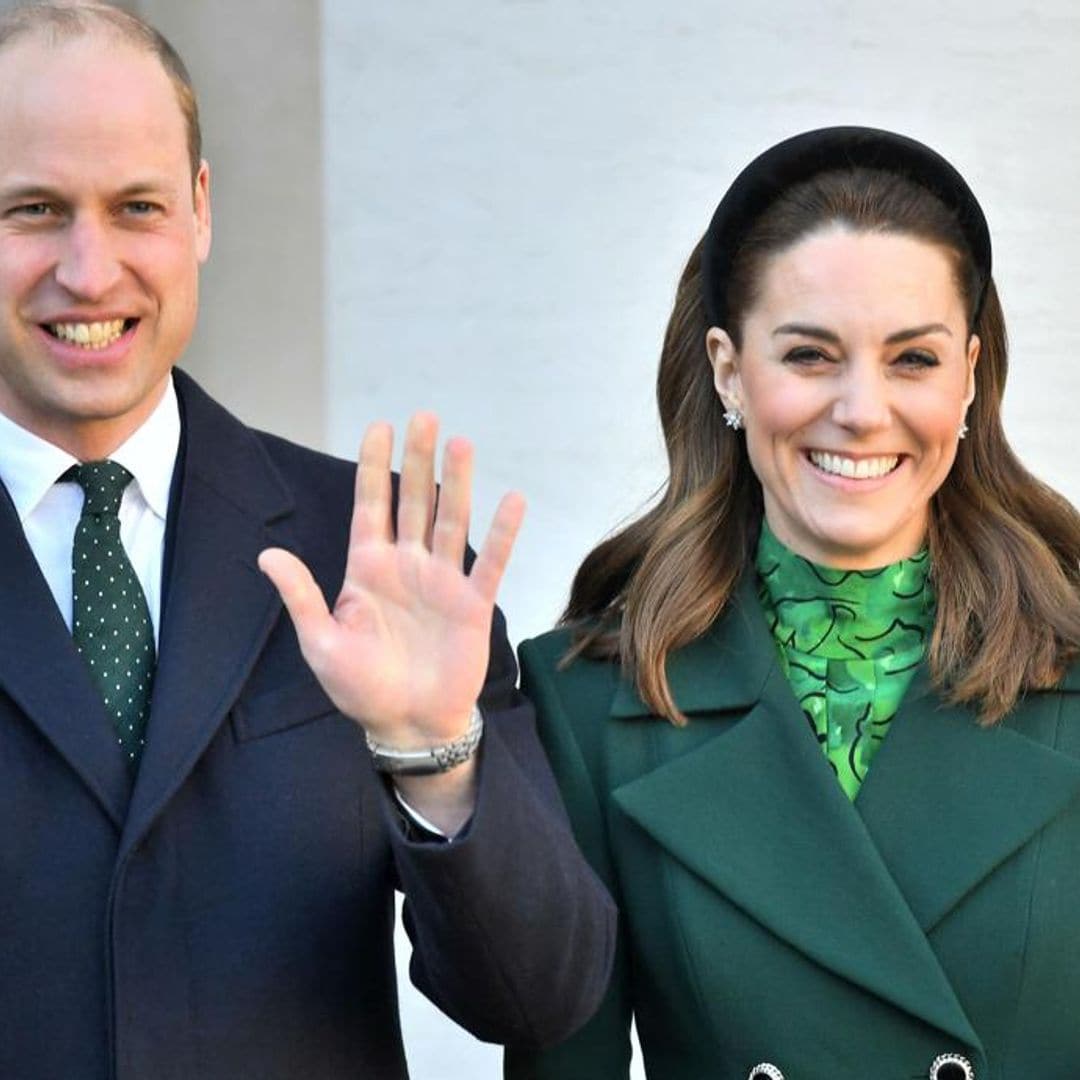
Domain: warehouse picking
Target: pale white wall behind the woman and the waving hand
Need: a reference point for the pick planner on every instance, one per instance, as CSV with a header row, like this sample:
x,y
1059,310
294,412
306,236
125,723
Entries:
x,y
511,188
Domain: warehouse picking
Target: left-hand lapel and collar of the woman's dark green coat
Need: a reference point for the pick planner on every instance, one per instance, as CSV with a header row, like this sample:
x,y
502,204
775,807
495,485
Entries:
x,y
773,830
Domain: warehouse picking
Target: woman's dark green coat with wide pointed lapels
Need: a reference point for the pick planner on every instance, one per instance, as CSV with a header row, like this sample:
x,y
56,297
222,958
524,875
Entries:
x,y
767,919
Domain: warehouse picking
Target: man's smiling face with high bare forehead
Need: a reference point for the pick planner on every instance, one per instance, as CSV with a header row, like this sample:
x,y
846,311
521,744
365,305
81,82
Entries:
x,y
102,235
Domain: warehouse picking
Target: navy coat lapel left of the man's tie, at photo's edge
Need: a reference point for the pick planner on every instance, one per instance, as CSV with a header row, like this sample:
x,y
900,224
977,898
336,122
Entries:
x,y
42,671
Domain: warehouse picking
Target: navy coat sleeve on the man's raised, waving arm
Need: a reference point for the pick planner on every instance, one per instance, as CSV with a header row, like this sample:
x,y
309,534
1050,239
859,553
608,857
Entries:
x,y
514,934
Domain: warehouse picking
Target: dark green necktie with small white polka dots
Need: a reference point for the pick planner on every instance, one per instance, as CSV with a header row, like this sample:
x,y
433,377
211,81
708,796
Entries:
x,y
111,620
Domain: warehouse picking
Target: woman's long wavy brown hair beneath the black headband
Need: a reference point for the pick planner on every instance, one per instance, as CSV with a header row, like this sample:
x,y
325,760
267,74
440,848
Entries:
x,y
1005,548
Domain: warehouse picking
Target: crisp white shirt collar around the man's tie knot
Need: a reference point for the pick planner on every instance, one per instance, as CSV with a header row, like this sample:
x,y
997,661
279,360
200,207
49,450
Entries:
x,y
30,465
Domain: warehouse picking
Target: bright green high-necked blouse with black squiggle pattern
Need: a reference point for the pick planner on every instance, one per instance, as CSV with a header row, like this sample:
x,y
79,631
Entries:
x,y
849,642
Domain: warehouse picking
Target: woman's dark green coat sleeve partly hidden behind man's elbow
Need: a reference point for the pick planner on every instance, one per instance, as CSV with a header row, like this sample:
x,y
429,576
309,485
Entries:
x,y
602,1048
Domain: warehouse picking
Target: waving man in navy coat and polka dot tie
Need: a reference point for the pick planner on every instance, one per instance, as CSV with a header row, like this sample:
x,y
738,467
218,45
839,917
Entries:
x,y
198,855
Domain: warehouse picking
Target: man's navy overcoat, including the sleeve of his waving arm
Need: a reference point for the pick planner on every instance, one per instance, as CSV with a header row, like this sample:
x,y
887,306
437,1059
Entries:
x,y
231,913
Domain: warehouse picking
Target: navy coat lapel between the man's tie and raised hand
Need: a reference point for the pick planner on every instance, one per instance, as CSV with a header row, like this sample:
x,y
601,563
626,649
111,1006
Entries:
x,y
221,609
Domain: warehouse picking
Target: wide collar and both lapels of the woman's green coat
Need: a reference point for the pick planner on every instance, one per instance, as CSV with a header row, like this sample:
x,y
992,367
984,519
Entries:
x,y
944,804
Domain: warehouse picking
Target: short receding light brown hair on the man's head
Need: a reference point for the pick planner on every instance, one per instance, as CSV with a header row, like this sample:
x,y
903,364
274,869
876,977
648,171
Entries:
x,y
59,22
